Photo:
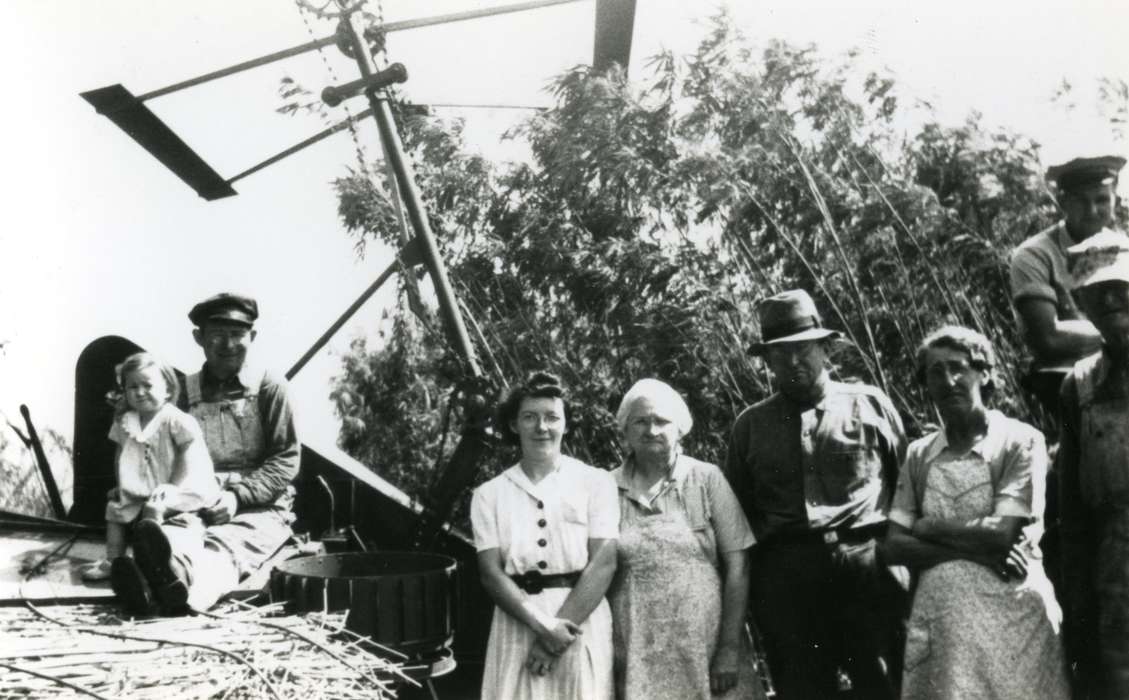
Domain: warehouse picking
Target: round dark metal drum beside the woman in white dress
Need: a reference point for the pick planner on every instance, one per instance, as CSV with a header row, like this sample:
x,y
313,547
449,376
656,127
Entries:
x,y
401,600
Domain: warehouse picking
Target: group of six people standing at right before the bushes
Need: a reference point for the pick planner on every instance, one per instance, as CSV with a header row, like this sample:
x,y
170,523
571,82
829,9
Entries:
x,y
868,566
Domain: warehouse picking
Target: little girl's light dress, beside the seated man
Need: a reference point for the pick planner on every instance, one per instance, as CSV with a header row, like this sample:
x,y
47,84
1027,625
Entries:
x,y
147,458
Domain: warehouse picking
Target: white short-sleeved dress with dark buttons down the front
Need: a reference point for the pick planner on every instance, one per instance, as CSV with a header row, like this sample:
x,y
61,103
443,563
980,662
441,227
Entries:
x,y
564,511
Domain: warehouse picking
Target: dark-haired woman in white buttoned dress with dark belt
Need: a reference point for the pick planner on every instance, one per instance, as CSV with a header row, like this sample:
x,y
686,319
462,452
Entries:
x,y
546,533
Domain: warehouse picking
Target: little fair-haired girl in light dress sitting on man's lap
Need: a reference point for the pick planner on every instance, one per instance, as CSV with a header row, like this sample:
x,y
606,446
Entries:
x,y
163,465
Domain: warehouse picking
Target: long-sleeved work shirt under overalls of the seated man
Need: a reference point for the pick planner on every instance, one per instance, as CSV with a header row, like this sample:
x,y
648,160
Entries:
x,y
268,479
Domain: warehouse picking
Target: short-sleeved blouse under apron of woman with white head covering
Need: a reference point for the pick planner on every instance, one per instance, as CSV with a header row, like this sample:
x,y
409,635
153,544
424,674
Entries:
x,y
698,493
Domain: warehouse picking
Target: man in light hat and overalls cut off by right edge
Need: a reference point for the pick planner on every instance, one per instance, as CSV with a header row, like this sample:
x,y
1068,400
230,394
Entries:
x,y
1095,477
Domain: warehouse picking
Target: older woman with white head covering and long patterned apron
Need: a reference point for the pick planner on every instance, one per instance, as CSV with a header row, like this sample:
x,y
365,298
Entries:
x,y
681,589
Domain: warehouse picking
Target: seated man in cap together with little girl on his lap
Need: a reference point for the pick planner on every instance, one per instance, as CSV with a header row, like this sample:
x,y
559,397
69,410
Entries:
x,y
204,470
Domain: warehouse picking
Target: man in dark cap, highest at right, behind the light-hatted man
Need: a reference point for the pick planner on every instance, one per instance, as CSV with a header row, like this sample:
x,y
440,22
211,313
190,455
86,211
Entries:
x,y
1053,327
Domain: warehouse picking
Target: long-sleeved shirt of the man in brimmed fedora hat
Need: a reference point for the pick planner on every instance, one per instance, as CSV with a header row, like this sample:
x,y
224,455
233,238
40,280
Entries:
x,y
834,465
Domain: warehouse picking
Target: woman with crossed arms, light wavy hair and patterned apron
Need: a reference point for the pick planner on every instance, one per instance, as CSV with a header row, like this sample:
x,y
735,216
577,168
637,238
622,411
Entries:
x,y
969,504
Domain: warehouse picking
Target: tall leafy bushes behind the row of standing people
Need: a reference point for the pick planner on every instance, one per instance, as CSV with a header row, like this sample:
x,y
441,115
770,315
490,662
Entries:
x,y
651,218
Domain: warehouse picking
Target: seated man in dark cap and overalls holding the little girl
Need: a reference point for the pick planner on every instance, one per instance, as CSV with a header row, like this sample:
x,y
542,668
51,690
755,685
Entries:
x,y
249,427
